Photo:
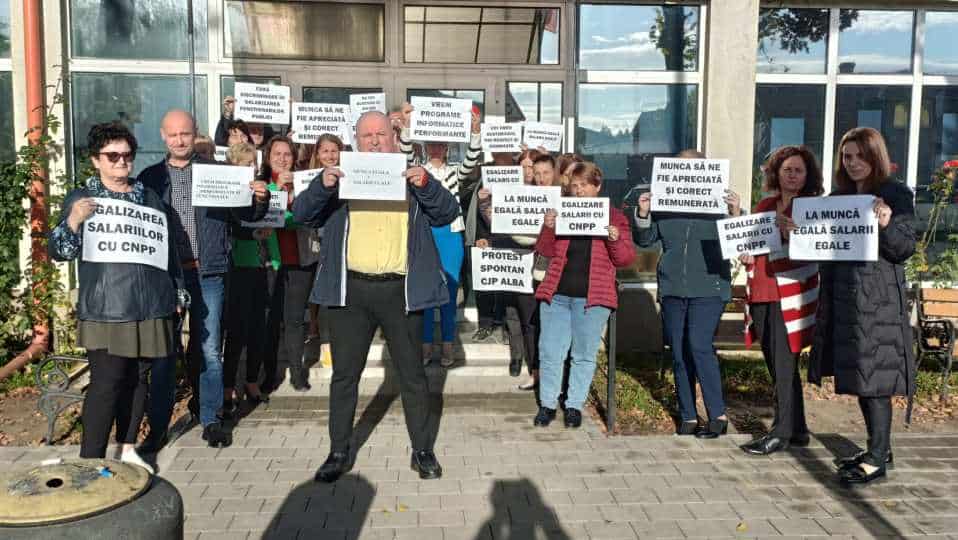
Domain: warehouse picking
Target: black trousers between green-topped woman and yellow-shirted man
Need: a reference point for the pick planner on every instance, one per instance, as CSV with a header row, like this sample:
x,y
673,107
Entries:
x,y
286,328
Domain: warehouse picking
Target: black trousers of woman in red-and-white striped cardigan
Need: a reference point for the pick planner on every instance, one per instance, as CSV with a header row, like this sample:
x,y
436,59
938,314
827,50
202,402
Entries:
x,y
783,367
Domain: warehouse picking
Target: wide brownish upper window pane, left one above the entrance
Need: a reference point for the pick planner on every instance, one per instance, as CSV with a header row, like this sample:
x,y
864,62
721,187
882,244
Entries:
x,y
305,30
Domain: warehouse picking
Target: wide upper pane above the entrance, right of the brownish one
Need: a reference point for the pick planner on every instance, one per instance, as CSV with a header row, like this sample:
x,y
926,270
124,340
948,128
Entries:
x,y
481,35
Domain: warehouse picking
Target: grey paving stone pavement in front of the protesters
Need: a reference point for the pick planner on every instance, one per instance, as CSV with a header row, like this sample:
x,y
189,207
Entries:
x,y
504,479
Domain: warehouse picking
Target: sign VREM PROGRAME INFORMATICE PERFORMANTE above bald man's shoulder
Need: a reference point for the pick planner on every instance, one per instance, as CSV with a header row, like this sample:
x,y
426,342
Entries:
x,y
440,119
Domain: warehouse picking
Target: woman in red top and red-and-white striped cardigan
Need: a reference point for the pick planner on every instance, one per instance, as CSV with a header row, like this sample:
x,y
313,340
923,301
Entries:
x,y
782,298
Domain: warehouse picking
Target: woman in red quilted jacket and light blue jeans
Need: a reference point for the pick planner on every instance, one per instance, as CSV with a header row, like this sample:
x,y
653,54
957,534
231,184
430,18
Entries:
x,y
578,294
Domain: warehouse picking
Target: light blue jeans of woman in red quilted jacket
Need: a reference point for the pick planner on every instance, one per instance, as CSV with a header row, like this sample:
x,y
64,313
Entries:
x,y
567,322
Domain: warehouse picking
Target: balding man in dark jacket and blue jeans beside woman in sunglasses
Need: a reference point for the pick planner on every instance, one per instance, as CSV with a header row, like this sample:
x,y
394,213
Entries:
x,y
203,247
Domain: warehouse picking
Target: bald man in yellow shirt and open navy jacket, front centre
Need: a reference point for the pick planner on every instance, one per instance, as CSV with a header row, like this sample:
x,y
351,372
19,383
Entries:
x,y
379,267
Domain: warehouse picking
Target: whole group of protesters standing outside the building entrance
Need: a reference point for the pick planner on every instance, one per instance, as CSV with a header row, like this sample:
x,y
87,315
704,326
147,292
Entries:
x,y
358,265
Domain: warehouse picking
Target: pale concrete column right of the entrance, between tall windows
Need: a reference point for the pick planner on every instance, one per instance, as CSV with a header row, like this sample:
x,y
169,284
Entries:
x,y
730,59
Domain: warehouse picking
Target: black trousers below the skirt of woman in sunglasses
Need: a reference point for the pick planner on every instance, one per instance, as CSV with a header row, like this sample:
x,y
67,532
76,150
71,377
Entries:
x,y
116,396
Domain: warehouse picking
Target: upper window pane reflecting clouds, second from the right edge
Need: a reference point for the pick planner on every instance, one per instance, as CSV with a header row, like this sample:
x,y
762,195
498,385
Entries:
x,y
875,41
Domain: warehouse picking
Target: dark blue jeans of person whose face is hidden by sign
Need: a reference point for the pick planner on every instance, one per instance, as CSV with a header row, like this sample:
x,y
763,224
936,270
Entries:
x,y
690,325
